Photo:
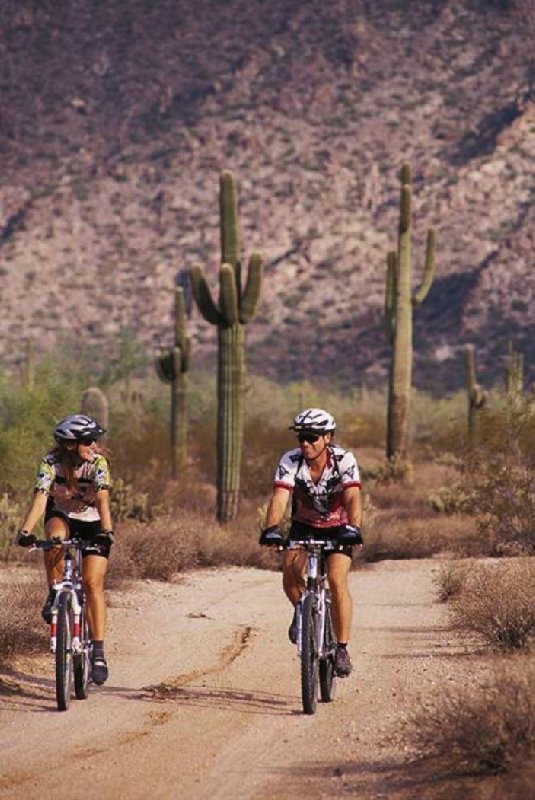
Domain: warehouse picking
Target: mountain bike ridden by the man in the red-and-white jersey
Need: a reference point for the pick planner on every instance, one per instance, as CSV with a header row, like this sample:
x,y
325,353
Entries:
x,y
316,640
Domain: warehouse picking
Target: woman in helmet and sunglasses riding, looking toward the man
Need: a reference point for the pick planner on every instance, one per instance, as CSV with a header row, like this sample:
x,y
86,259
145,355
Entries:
x,y
72,492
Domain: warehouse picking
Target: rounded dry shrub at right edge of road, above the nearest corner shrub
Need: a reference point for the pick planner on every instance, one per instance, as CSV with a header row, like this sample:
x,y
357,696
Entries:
x,y
498,603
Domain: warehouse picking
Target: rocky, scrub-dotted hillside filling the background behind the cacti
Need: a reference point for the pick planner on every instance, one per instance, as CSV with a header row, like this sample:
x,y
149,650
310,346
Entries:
x,y
118,117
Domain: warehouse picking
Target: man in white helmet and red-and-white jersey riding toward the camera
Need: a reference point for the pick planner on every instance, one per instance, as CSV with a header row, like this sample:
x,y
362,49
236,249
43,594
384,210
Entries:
x,y
323,480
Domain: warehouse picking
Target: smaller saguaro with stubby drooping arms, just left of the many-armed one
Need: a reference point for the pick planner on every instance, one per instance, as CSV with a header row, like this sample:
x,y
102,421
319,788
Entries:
x,y
172,366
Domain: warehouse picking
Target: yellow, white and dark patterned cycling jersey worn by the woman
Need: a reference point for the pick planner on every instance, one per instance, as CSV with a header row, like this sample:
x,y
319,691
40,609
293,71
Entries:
x,y
91,476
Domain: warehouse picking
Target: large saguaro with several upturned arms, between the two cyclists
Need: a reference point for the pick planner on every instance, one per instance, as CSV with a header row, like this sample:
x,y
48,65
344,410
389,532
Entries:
x,y
230,315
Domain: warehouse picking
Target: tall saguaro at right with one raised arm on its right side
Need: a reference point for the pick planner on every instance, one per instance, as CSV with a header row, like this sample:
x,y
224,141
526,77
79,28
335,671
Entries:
x,y
399,305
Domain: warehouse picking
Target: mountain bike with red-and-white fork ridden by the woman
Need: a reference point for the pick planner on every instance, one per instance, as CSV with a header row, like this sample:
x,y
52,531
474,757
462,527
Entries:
x,y
69,630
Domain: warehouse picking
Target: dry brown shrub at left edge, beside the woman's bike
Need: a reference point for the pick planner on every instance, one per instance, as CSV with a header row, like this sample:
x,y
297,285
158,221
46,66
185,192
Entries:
x,y
21,627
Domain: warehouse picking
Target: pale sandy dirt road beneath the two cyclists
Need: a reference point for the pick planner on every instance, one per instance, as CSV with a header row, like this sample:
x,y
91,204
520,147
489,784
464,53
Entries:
x,y
203,699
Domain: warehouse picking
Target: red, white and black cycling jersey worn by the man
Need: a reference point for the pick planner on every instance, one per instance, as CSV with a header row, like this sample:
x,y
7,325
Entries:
x,y
318,504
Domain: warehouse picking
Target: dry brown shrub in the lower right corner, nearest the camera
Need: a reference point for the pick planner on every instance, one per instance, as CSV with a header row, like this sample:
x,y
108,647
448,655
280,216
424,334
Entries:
x,y
486,728
